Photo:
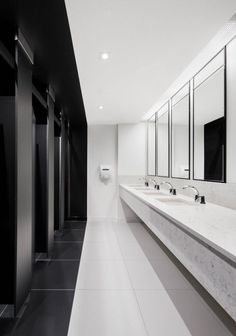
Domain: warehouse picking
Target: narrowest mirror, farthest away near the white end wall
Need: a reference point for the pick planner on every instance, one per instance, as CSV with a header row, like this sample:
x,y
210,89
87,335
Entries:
x,y
151,146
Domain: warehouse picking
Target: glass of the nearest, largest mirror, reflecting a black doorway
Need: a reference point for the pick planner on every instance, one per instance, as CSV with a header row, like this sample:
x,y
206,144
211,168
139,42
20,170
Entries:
x,y
209,122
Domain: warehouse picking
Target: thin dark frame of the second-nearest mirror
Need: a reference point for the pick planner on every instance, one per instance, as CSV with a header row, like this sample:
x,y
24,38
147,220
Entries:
x,y
189,131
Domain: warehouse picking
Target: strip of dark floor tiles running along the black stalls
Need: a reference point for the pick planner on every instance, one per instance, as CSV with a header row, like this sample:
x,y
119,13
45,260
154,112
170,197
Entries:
x,y
47,312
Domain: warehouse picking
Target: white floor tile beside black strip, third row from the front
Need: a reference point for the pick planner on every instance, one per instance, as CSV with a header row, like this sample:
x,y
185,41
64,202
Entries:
x,y
101,251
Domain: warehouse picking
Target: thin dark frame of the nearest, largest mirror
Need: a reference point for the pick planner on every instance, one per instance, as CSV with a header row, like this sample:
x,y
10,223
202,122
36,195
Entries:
x,y
225,116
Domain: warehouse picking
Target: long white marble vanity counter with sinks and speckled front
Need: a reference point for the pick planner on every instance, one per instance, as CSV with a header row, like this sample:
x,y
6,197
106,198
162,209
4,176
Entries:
x,y
201,236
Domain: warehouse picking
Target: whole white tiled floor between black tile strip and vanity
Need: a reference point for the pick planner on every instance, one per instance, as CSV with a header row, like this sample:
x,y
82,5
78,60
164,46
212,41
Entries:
x,y
127,286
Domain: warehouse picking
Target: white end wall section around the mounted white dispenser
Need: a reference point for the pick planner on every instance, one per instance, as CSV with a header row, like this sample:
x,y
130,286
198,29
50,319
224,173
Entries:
x,y
102,149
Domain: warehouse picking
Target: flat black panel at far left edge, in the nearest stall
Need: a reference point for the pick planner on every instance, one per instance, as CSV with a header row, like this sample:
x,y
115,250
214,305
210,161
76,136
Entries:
x,y
7,199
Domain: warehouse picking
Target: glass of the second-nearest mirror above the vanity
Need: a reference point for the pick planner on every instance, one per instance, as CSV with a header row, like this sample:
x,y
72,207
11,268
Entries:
x,y
180,133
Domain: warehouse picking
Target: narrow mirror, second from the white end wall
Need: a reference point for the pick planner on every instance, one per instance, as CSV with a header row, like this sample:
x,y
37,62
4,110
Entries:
x,y
162,132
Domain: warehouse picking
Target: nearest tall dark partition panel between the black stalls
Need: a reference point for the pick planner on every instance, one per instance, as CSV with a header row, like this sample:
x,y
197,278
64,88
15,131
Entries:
x,y
24,176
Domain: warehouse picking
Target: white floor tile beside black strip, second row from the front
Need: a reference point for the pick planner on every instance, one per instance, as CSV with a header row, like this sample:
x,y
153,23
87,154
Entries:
x,y
108,274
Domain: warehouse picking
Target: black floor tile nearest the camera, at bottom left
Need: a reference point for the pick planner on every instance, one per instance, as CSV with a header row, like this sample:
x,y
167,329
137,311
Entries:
x,y
47,314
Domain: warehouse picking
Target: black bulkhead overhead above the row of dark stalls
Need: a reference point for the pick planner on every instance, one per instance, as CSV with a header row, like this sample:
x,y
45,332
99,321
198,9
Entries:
x,y
47,31
